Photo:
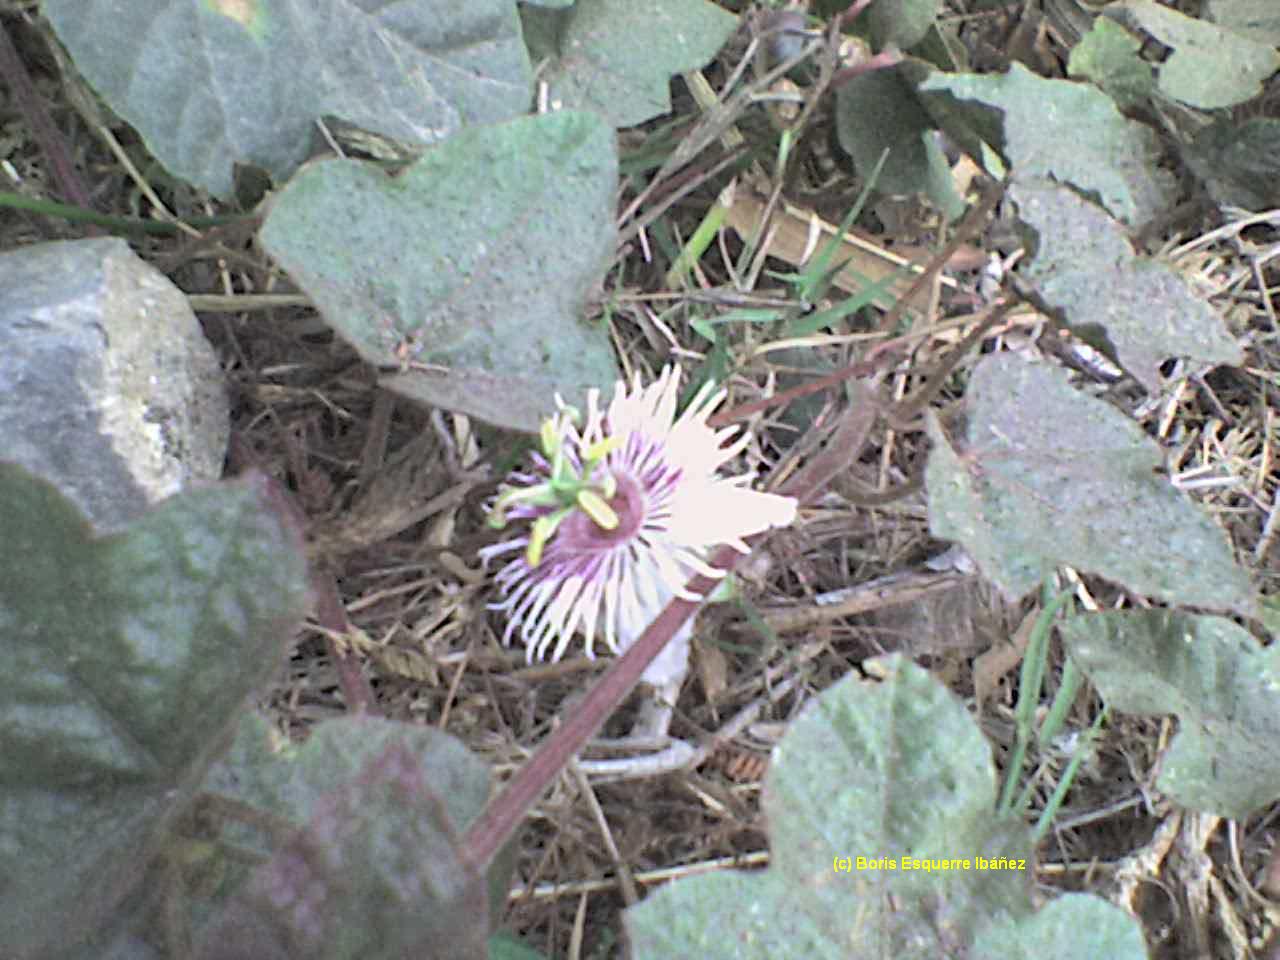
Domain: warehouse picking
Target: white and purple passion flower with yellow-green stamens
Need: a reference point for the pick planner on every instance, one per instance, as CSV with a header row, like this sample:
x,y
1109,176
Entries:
x,y
623,510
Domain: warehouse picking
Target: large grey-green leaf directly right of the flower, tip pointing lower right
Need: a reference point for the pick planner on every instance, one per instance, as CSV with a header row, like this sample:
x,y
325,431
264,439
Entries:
x,y
1049,476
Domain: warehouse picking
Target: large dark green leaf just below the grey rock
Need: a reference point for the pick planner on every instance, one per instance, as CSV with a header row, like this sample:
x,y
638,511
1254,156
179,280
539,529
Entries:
x,y
126,659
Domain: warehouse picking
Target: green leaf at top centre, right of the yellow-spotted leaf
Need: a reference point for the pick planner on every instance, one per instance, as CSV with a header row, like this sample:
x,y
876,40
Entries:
x,y
618,57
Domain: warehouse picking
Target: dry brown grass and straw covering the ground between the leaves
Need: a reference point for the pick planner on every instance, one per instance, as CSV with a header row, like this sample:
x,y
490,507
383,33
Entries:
x,y
394,500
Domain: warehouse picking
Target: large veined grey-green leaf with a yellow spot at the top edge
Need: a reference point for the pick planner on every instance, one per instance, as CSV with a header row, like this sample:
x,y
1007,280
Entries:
x,y
212,84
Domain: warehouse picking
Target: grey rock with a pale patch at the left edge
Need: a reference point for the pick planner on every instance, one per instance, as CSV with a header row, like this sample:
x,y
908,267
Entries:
x,y
108,386
